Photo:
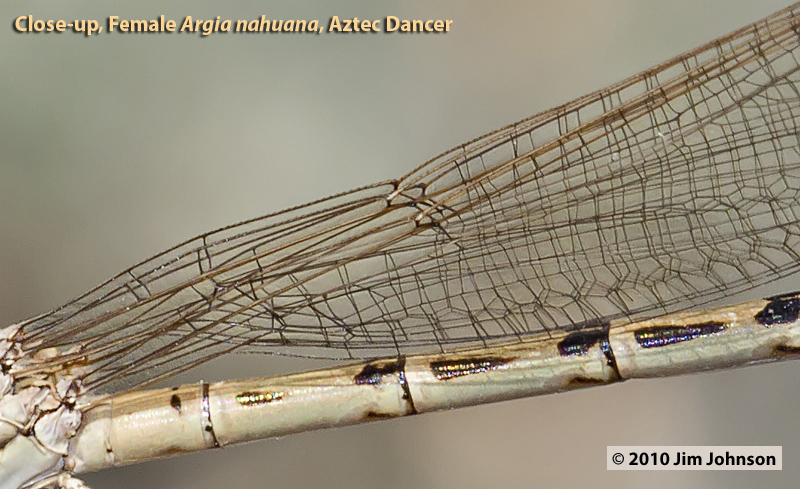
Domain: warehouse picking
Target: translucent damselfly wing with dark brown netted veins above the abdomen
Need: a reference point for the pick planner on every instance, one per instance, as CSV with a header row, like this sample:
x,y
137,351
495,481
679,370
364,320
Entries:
x,y
668,190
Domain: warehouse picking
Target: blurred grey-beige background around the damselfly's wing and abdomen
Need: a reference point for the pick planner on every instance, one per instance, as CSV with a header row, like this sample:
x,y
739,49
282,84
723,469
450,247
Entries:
x,y
115,147
